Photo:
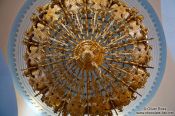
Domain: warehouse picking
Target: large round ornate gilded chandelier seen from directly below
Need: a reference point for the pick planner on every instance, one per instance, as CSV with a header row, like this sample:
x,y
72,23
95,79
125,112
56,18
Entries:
x,y
87,56
